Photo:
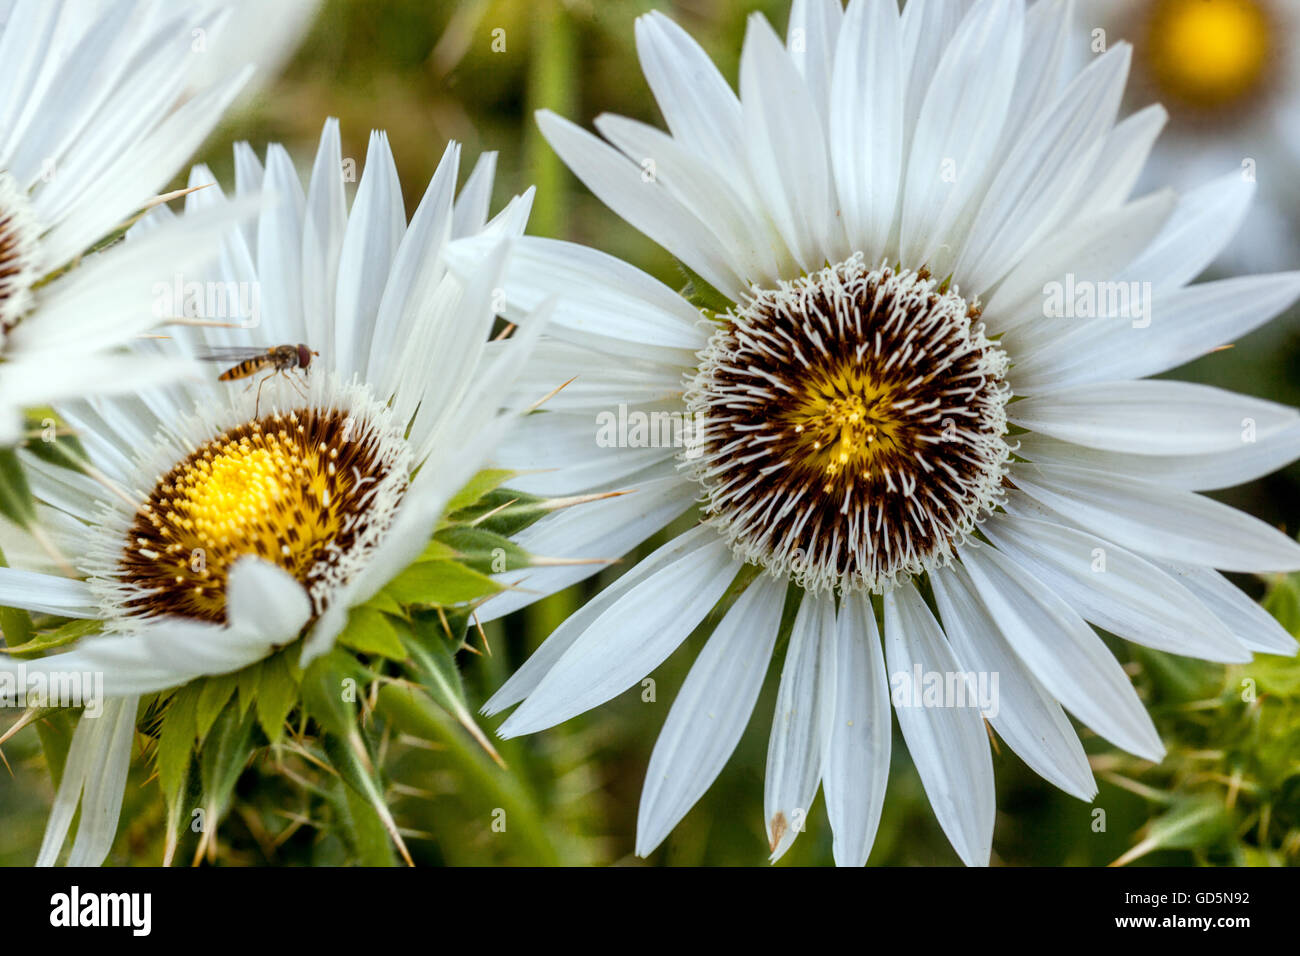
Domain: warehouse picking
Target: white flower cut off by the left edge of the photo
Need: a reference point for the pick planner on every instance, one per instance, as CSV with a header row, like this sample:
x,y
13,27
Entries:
x,y
97,116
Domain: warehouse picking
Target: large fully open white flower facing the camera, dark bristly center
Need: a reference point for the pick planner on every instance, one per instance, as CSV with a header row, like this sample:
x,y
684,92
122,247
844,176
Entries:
x,y
878,400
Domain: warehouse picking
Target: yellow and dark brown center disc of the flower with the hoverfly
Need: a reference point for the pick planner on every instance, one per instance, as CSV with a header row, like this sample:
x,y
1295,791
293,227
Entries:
x,y
291,488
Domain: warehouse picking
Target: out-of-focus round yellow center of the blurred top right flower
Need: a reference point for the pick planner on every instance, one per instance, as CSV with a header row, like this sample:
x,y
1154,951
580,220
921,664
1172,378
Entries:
x,y
1210,54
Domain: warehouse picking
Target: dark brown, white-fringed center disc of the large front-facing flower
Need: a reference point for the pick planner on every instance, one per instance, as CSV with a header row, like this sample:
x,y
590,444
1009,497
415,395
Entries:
x,y
853,426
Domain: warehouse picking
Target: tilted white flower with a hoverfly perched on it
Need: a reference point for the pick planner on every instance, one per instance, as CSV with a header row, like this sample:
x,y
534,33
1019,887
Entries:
x,y
218,524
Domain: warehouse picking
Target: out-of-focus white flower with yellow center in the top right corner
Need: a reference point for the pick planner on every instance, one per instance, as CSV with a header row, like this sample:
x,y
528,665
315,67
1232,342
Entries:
x,y
1229,76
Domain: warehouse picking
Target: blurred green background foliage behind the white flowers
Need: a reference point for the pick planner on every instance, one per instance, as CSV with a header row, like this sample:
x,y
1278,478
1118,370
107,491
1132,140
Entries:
x,y
427,72
